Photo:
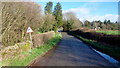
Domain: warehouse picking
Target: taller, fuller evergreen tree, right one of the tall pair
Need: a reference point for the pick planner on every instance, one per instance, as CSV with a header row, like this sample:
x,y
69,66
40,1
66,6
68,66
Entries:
x,y
58,15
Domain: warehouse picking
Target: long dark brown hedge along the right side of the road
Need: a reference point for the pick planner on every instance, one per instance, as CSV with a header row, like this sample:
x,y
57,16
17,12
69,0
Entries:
x,y
109,39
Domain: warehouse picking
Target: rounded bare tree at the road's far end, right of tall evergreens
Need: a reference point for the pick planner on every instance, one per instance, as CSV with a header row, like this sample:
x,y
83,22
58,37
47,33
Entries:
x,y
70,21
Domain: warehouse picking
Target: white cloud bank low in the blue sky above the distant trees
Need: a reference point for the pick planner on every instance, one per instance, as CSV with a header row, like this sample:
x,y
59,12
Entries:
x,y
86,13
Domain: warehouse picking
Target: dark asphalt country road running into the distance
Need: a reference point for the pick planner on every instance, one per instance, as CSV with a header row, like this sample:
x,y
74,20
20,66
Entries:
x,y
71,52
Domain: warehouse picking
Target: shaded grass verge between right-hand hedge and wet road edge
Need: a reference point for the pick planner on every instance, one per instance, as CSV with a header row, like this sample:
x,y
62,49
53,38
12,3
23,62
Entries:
x,y
110,50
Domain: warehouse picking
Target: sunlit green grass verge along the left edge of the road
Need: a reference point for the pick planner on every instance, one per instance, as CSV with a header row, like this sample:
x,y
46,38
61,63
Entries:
x,y
25,58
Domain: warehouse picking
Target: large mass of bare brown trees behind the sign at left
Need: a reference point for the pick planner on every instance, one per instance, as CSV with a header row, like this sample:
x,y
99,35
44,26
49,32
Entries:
x,y
16,17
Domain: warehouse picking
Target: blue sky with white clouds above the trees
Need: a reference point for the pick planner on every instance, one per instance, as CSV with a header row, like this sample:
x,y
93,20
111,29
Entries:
x,y
90,10
